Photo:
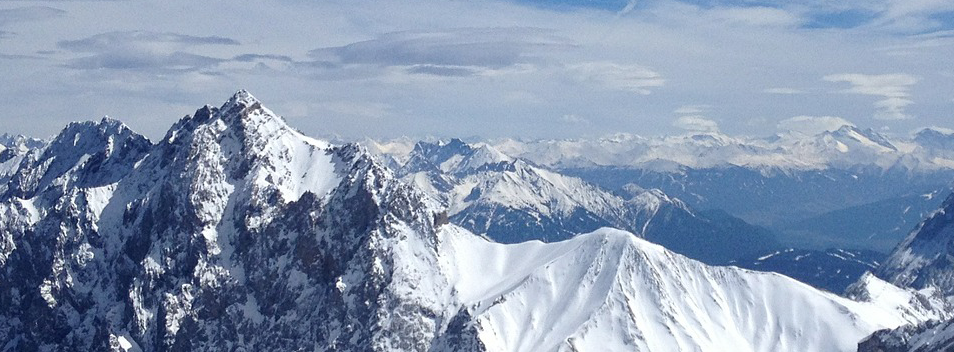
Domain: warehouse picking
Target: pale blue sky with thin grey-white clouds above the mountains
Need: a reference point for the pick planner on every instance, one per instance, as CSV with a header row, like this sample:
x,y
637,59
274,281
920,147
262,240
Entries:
x,y
489,69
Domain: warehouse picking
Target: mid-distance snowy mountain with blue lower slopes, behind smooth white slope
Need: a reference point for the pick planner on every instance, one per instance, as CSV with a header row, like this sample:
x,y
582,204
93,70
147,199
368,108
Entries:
x,y
510,201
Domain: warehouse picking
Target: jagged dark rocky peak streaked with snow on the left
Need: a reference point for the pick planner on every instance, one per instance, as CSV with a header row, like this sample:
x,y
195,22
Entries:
x,y
213,239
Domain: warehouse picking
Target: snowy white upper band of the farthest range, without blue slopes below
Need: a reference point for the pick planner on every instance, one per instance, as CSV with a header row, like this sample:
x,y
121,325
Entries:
x,y
843,148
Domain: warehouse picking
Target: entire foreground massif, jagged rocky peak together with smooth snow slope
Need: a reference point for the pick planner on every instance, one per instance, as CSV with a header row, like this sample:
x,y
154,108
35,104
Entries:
x,y
237,233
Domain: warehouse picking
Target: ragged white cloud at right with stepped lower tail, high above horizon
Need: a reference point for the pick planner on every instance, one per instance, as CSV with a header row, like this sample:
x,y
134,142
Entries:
x,y
893,88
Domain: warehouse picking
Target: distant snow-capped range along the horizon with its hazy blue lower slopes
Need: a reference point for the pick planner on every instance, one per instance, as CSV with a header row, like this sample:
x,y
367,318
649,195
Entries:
x,y
848,188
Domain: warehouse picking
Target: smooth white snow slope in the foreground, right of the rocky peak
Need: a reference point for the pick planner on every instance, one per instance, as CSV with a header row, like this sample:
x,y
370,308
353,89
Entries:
x,y
611,291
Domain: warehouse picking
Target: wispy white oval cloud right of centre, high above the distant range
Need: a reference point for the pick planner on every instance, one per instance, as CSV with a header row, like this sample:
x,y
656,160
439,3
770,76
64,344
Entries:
x,y
627,77
